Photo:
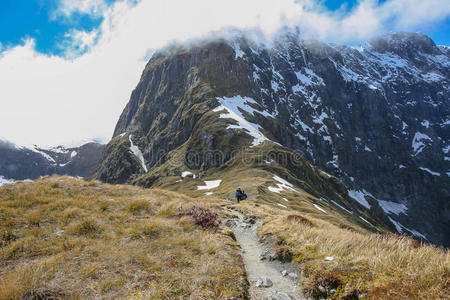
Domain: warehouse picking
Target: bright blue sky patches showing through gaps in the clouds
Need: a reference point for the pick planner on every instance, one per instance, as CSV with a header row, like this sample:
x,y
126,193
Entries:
x,y
38,19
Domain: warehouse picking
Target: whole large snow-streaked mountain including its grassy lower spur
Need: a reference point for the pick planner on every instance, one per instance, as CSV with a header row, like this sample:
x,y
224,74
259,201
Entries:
x,y
364,129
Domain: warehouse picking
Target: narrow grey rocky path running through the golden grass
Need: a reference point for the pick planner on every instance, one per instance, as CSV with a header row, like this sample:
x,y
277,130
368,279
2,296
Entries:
x,y
268,279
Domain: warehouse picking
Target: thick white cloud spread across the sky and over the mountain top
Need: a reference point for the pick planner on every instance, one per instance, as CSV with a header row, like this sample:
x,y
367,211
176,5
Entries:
x,y
50,100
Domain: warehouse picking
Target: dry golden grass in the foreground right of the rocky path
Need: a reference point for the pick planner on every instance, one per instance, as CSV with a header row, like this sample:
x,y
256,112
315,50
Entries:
x,y
373,266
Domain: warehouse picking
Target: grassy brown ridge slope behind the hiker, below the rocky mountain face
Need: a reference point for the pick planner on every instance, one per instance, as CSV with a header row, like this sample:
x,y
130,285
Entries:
x,y
250,171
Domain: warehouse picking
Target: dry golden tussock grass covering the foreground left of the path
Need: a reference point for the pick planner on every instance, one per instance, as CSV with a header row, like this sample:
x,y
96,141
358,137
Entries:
x,y
84,240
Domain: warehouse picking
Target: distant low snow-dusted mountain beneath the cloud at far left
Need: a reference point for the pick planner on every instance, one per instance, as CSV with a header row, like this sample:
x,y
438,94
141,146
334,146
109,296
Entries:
x,y
19,162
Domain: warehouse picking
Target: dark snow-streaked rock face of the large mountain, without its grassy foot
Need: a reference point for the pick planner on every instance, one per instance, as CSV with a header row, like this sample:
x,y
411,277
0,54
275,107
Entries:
x,y
372,118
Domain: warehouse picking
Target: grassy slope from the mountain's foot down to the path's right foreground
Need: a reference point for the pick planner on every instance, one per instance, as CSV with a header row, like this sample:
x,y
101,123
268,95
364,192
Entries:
x,y
368,260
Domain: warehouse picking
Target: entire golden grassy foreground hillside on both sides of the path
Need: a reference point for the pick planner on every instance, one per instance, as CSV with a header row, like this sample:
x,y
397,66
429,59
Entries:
x,y
72,239
